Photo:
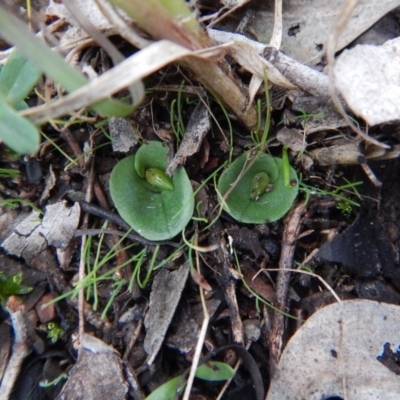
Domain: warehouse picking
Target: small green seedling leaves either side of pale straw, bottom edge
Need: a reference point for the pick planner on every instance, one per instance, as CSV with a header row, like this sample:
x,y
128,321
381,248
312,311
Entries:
x,y
212,371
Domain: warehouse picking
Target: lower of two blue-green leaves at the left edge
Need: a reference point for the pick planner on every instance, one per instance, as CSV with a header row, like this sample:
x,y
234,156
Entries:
x,y
18,133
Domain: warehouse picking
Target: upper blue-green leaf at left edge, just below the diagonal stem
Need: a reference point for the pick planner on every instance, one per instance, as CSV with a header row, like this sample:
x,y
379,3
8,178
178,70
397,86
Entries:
x,y
18,77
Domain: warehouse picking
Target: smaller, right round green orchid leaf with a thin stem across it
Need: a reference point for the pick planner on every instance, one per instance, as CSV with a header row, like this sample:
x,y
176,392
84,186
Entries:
x,y
248,202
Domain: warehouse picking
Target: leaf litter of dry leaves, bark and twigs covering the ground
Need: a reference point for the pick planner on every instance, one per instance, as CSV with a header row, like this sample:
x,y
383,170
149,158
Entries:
x,y
328,233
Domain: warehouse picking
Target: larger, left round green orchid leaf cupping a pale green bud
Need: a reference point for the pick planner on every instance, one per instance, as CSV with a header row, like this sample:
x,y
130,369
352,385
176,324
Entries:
x,y
154,212
